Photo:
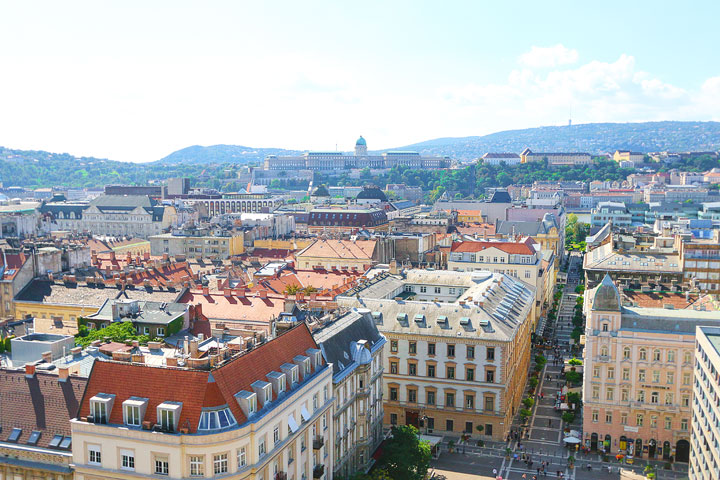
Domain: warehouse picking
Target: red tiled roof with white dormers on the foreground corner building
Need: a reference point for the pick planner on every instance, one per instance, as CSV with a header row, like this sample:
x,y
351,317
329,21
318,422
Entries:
x,y
194,388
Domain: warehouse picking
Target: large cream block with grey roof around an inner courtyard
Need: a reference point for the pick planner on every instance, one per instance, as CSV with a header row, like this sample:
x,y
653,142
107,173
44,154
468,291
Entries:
x,y
458,347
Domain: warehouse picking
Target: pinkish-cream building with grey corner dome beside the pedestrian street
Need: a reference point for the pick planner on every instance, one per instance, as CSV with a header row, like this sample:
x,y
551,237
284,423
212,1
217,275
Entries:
x,y
638,375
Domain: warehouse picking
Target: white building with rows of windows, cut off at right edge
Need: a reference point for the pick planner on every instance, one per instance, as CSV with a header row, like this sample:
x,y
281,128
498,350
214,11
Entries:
x,y
705,438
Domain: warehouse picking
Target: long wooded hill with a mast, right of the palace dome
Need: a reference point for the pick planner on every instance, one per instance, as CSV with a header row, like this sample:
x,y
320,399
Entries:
x,y
591,137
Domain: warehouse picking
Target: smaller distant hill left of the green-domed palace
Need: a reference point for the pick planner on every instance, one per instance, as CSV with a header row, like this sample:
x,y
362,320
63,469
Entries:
x,y
223,154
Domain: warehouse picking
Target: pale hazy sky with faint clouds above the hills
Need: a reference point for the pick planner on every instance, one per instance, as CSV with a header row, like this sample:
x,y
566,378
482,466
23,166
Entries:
x,y
128,81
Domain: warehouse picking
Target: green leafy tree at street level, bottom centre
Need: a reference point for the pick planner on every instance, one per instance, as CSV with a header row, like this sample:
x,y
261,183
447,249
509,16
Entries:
x,y
405,456
